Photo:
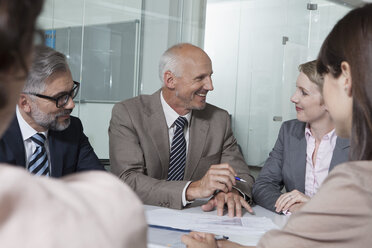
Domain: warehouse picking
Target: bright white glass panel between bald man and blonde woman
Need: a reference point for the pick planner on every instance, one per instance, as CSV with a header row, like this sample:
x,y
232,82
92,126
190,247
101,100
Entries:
x,y
256,47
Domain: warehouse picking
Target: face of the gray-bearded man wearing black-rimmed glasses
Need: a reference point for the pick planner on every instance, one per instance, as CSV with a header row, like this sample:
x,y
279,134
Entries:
x,y
43,113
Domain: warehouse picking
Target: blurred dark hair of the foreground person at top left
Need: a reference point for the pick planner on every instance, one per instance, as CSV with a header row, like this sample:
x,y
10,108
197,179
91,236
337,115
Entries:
x,y
17,26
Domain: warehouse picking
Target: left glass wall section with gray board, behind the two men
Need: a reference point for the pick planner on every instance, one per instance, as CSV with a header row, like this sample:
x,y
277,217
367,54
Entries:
x,y
113,48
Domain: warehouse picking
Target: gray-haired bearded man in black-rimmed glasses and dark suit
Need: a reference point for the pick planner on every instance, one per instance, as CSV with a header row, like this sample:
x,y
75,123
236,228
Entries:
x,y
43,137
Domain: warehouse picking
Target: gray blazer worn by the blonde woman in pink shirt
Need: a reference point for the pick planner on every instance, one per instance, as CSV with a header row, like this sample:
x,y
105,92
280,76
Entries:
x,y
286,165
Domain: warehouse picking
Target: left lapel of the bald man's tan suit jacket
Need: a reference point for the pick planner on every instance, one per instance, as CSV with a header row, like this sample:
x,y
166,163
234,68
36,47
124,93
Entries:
x,y
158,131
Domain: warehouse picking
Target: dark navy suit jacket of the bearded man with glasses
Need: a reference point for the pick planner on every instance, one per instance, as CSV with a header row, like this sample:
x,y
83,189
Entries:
x,y
70,150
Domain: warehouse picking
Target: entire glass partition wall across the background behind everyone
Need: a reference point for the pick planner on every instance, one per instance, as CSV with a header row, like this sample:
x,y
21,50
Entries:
x,y
113,48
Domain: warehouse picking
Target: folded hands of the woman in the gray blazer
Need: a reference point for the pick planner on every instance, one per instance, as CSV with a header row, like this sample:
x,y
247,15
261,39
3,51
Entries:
x,y
286,200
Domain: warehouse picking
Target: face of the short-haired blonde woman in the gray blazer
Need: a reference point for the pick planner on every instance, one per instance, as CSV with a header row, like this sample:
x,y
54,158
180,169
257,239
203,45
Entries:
x,y
308,100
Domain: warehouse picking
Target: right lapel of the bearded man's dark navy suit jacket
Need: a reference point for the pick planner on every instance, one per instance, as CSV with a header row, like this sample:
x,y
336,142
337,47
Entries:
x,y
56,155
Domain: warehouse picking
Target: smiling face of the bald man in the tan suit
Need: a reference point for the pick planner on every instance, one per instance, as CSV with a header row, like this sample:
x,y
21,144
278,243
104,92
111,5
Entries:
x,y
189,90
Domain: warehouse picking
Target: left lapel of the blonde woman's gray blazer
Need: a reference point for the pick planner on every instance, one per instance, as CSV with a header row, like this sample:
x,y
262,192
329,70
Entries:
x,y
298,156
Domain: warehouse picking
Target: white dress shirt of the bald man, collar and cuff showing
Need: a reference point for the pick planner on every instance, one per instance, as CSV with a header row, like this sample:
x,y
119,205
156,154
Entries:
x,y
170,117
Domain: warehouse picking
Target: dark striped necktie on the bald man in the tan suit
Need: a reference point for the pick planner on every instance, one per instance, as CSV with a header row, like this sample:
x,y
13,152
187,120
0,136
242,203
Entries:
x,y
177,159
